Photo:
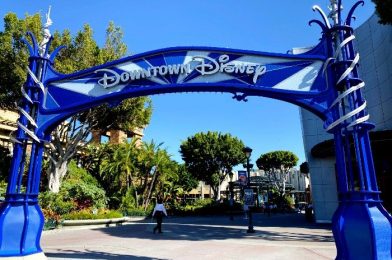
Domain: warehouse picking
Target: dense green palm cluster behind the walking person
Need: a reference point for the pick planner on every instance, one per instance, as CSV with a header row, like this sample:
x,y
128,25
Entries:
x,y
134,173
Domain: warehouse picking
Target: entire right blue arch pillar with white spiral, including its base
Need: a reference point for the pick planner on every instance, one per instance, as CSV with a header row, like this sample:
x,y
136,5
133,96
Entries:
x,y
361,225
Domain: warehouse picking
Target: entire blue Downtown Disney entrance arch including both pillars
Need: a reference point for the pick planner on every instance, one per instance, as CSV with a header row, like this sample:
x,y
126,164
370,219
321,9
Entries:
x,y
323,80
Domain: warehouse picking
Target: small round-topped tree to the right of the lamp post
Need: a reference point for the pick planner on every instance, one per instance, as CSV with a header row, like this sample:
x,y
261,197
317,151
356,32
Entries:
x,y
277,165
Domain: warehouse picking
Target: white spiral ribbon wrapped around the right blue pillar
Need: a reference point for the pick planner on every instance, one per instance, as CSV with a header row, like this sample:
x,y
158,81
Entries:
x,y
338,101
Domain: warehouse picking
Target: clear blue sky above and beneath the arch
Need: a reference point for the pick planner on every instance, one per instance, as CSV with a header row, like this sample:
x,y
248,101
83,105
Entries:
x,y
273,26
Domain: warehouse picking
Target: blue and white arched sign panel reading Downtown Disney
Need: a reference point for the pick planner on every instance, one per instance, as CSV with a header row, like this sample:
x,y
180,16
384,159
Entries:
x,y
189,69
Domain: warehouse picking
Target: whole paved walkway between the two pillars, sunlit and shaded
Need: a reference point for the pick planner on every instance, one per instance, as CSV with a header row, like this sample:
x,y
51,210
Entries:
x,y
281,236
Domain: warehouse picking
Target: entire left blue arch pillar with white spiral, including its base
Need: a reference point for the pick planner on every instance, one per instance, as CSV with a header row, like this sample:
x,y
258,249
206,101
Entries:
x,y
21,219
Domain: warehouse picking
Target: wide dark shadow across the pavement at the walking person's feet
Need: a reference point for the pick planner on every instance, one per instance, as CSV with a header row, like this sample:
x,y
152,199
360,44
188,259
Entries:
x,y
212,228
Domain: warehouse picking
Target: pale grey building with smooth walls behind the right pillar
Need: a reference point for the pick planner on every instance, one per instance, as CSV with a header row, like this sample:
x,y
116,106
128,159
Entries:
x,y
374,44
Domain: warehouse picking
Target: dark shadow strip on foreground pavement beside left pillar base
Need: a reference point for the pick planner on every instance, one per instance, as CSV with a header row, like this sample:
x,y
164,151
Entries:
x,y
90,254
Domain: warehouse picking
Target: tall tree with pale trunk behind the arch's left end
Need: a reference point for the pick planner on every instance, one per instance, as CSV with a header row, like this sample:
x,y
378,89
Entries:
x,y
81,52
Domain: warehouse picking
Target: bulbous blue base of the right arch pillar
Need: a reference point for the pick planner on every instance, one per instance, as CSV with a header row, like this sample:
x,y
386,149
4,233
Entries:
x,y
362,227
